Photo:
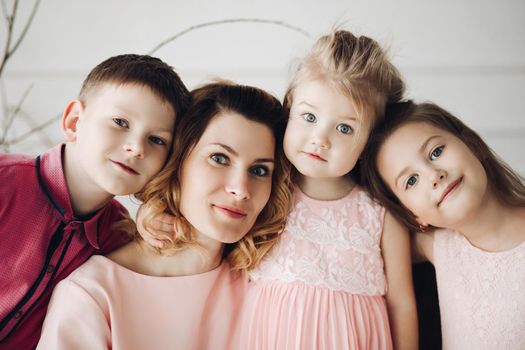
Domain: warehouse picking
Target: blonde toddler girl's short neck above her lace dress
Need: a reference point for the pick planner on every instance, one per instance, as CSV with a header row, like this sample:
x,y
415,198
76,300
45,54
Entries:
x,y
326,188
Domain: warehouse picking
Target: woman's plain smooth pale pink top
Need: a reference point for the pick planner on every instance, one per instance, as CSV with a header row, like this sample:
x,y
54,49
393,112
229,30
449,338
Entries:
x,y
103,305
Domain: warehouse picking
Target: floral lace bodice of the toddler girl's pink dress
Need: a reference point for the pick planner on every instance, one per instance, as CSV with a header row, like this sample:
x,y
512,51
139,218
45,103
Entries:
x,y
334,244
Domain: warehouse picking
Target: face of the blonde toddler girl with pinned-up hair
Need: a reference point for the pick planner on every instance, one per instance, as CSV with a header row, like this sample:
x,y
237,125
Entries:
x,y
324,136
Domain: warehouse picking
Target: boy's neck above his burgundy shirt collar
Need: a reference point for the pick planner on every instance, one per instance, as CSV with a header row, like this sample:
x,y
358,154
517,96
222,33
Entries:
x,y
85,196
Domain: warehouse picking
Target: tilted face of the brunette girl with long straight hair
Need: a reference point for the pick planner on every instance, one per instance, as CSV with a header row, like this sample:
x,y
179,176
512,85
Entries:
x,y
433,173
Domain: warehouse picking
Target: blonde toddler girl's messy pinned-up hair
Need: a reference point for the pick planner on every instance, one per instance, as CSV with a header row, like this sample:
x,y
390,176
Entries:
x,y
358,67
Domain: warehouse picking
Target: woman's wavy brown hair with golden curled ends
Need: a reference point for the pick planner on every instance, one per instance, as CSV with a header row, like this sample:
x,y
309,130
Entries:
x,y
162,195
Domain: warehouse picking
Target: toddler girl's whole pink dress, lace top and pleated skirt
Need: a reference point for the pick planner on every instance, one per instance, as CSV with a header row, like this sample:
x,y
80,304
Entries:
x,y
322,286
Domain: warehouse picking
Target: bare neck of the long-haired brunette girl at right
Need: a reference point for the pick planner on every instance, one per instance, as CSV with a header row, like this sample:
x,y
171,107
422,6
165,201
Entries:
x,y
495,226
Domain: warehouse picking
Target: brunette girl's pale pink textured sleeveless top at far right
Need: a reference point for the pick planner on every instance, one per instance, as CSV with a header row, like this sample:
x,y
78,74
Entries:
x,y
481,294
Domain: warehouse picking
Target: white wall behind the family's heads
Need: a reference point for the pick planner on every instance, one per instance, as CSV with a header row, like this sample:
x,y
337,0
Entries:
x,y
468,56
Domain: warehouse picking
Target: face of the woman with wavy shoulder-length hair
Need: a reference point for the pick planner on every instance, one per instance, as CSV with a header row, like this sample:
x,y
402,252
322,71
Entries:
x,y
226,179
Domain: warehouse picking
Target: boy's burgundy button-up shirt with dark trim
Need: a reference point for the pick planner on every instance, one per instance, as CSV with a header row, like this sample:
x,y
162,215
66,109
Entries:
x,y
41,241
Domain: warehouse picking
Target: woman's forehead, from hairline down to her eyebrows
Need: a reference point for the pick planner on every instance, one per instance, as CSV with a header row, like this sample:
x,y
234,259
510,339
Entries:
x,y
236,131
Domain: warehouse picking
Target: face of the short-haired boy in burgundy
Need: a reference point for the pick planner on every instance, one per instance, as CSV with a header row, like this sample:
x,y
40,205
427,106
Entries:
x,y
122,139
